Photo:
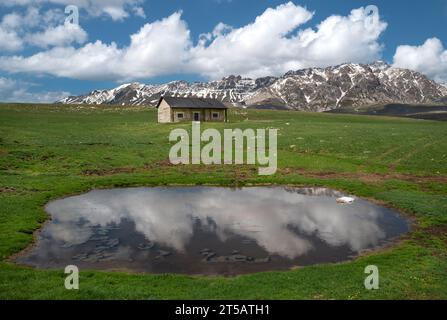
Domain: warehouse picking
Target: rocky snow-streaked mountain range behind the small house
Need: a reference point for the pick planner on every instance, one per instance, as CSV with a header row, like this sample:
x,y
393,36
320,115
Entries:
x,y
313,89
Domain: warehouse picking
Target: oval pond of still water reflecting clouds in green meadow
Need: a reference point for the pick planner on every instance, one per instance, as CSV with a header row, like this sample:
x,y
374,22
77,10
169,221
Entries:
x,y
209,230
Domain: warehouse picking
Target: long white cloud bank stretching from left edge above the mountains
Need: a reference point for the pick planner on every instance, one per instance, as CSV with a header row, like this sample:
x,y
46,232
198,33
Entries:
x,y
271,45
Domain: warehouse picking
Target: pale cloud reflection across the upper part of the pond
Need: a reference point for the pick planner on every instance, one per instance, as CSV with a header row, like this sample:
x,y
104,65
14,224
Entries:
x,y
281,221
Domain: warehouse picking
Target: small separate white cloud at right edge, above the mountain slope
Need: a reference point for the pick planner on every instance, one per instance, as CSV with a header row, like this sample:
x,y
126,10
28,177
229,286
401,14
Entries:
x,y
429,58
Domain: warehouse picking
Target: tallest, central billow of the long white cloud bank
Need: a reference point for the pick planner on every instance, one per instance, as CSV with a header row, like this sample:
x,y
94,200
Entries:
x,y
259,48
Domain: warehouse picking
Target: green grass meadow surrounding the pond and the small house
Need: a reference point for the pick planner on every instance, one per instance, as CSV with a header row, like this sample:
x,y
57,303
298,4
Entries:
x,y
48,152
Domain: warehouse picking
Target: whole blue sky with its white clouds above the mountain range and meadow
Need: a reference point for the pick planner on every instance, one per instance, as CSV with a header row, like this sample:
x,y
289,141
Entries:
x,y
40,60
